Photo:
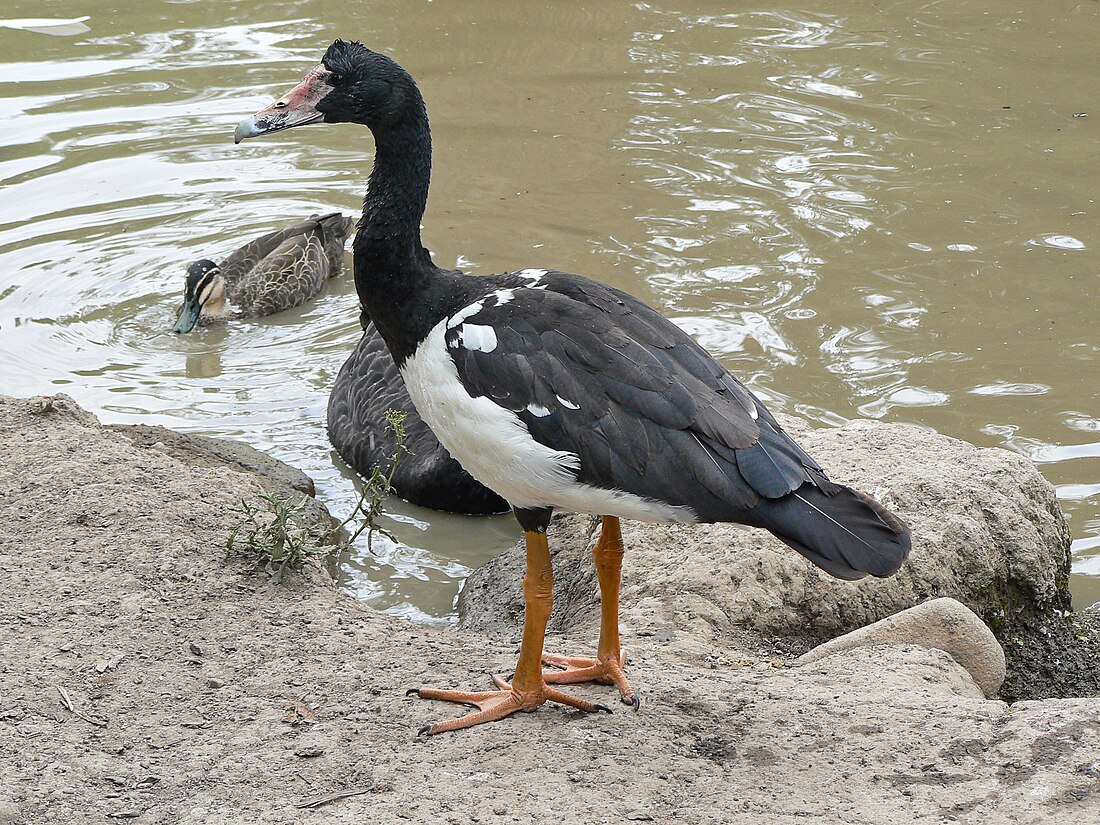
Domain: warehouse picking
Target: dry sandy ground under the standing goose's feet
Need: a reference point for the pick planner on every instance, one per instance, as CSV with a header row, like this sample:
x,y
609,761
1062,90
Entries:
x,y
188,677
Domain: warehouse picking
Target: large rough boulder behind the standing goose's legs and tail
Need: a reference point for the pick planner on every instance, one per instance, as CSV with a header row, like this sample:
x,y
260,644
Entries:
x,y
987,532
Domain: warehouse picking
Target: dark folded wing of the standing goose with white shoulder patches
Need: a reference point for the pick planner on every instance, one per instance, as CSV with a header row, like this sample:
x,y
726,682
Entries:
x,y
595,372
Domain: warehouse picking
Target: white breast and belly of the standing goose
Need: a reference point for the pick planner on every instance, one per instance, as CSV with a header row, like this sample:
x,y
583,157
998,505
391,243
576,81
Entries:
x,y
497,448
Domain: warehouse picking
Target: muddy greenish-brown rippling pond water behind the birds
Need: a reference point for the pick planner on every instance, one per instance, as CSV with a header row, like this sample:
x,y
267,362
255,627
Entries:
x,y
866,211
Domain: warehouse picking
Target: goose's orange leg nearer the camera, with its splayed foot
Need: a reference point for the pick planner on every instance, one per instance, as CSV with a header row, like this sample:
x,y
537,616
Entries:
x,y
527,689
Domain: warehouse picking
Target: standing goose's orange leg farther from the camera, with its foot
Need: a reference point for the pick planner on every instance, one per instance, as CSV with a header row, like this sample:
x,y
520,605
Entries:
x,y
608,667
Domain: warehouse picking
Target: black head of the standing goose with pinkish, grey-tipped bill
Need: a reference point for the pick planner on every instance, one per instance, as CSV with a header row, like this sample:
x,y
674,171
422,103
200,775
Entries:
x,y
353,84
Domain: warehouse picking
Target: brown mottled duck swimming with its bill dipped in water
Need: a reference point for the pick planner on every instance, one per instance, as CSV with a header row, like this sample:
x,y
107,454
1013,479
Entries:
x,y
278,271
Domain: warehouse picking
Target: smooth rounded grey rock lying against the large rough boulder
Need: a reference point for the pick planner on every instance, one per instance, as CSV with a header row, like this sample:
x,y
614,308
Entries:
x,y
943,624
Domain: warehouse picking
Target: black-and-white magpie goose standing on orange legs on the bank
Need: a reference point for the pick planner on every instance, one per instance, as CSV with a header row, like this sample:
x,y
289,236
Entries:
x,y
559,392
